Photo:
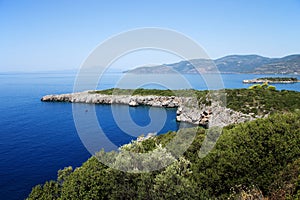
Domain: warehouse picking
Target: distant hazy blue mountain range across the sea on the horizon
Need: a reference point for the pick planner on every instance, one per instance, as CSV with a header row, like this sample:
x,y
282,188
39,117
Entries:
x,y
230,64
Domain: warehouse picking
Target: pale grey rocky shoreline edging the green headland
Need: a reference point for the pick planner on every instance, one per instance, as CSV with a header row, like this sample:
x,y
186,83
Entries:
x,y
188,109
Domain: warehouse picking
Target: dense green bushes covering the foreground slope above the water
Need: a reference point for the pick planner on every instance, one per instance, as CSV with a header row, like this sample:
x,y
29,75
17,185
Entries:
x,y
259,158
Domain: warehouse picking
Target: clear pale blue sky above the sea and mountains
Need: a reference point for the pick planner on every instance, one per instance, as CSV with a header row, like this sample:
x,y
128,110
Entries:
x,y
60,34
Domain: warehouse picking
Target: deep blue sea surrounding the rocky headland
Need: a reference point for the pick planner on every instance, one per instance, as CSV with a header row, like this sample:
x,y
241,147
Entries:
x,y
39,138
